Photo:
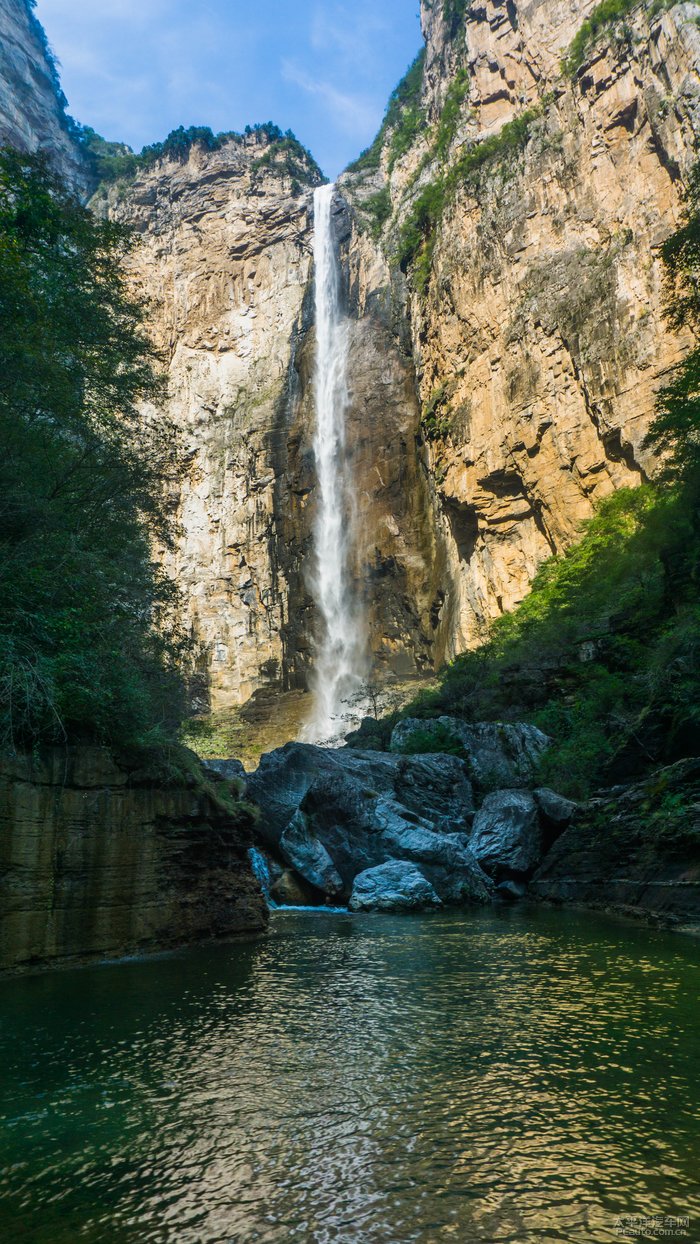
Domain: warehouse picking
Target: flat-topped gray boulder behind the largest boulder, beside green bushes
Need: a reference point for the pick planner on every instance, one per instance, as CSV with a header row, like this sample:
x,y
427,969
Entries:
x,y
498,754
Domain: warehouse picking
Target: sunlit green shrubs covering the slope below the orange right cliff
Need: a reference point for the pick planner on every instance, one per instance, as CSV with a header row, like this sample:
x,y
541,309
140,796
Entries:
x,y
605,654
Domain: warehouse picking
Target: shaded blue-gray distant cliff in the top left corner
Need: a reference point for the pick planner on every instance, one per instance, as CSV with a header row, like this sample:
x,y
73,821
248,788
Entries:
x,y
33,108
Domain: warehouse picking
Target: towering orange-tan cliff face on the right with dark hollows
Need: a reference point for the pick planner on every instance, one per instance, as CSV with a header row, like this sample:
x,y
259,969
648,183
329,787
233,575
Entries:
x,y
539,339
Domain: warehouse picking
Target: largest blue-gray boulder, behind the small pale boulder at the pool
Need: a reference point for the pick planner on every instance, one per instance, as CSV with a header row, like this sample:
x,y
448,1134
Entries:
x,y
335,814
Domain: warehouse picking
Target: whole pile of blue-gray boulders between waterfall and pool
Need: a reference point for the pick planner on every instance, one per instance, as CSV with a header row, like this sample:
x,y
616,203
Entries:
x,y
395,832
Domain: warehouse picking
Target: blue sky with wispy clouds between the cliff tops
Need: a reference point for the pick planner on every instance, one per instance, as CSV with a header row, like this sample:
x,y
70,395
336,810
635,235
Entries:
x,y
137,69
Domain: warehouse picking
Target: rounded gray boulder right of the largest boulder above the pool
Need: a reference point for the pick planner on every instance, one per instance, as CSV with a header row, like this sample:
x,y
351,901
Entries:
x,y
507,838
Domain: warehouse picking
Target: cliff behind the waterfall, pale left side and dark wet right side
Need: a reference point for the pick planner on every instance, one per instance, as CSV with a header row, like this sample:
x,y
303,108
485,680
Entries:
x,y
227,259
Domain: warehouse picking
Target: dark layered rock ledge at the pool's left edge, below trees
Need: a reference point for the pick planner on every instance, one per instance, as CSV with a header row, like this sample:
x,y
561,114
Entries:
x,y
98,863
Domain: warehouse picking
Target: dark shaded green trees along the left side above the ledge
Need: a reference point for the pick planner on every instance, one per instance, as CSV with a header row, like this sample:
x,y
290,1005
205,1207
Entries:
x,y
86,645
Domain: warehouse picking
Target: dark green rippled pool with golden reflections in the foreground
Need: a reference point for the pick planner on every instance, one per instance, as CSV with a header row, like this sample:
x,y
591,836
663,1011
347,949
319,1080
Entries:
x,y
502,1075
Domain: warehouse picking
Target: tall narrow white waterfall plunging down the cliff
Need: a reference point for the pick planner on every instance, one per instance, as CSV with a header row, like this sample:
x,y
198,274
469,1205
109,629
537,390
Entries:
x,y
340,665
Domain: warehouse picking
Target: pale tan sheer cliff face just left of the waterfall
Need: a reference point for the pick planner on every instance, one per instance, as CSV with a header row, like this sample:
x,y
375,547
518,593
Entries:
x,y
227,262
